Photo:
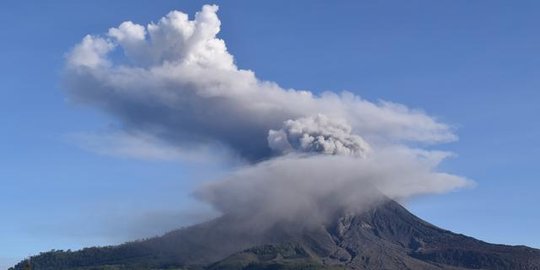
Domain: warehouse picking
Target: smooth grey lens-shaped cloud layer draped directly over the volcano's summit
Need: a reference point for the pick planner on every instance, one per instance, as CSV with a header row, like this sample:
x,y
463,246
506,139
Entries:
x,y
312,188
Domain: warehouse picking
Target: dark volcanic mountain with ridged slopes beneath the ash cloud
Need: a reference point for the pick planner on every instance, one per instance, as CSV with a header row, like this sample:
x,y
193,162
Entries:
x,y
385,237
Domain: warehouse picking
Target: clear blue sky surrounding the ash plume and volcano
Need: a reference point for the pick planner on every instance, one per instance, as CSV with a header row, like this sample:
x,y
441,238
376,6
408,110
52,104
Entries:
x,y
472,64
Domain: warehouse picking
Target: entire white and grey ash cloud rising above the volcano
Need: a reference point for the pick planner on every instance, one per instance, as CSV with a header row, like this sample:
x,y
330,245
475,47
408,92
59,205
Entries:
x,y
175,84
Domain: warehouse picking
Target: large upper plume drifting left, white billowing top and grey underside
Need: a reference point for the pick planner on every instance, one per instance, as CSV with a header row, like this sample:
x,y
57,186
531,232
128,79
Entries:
x,y
175,80
